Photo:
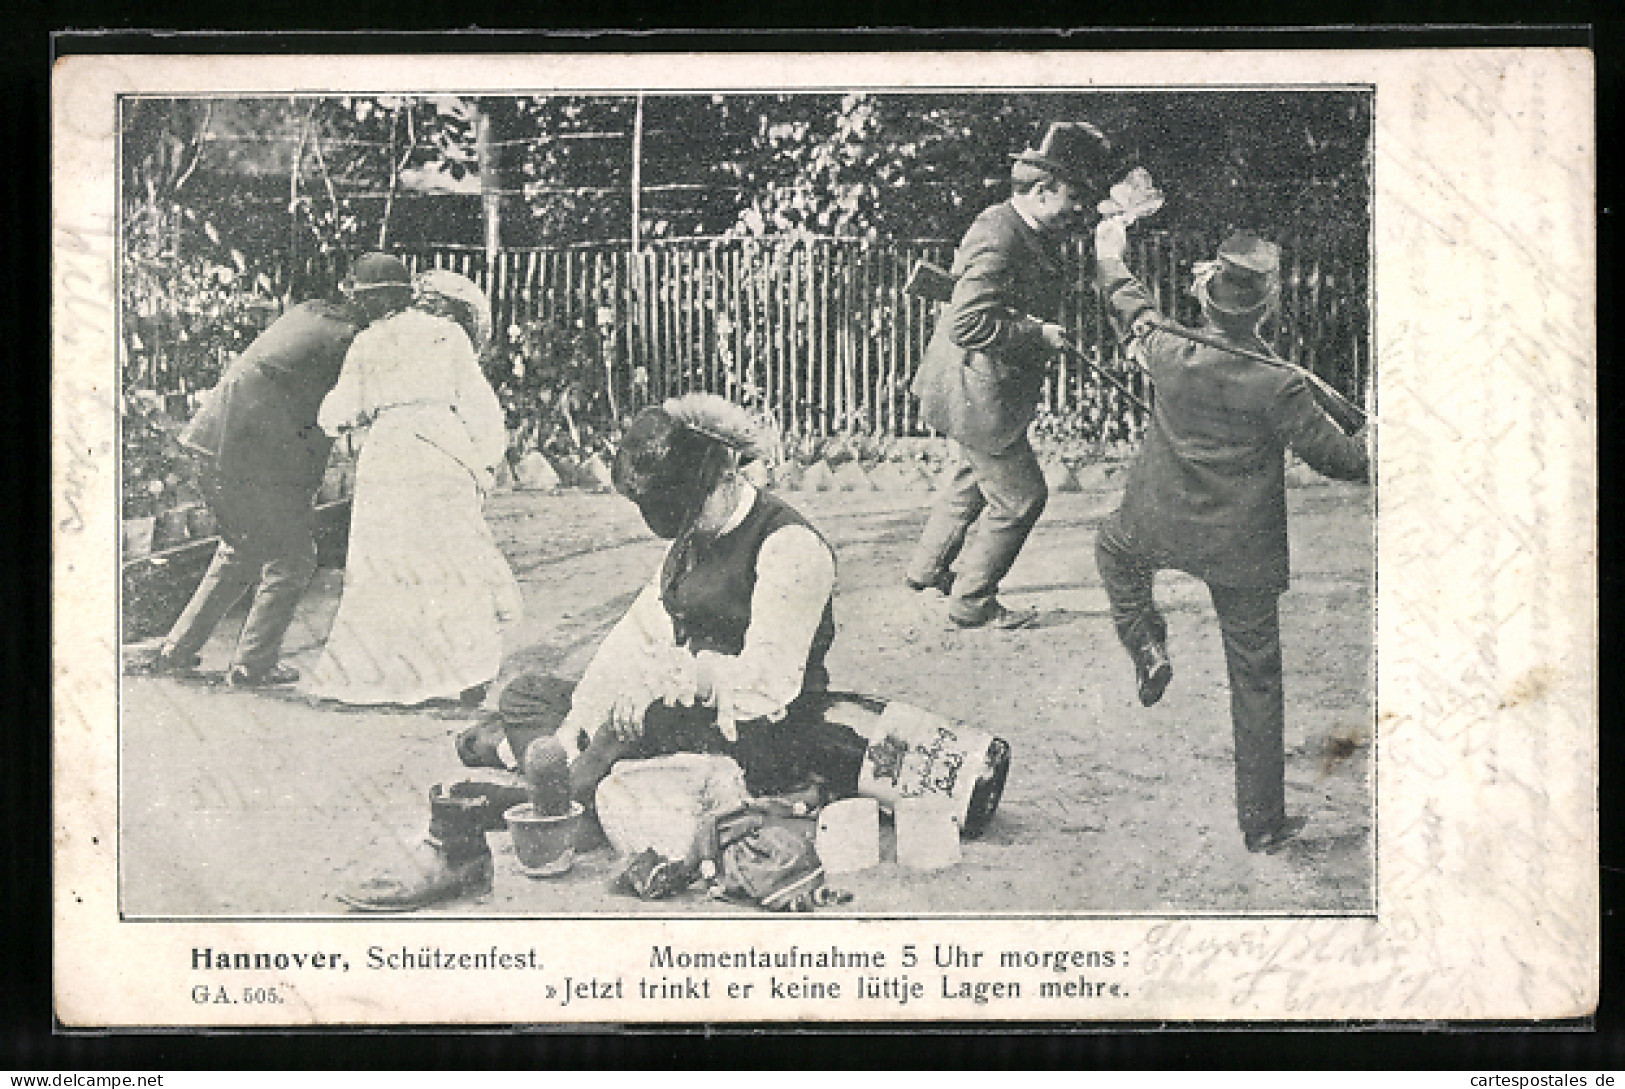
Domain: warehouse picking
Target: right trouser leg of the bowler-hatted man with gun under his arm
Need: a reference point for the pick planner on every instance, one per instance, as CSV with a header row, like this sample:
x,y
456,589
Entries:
x,y
1015,492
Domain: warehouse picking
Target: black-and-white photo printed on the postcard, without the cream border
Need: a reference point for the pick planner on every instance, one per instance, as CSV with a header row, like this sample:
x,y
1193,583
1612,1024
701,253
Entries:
x,y
443,419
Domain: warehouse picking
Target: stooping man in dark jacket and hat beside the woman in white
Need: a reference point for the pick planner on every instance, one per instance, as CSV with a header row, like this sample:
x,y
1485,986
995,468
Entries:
x,y
259,458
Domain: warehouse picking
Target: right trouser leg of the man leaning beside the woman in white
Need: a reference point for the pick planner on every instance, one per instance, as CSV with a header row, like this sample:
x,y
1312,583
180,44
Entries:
x,y
279,529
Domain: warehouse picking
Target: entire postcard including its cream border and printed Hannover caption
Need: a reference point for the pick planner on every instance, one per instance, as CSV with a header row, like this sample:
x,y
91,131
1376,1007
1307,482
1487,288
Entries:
x,y
919,539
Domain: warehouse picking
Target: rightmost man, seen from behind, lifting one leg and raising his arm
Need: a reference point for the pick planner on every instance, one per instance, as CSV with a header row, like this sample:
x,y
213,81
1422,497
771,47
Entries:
x,y
1208,497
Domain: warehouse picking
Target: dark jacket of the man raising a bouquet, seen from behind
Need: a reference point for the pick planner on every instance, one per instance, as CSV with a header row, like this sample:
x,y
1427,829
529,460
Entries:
x,y
1208,493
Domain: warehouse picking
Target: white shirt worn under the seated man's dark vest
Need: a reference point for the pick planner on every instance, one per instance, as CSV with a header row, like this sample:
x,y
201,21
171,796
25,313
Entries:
x,y
641,661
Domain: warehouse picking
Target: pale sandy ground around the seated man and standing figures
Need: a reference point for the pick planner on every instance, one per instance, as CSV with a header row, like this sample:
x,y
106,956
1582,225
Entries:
x,y
238,804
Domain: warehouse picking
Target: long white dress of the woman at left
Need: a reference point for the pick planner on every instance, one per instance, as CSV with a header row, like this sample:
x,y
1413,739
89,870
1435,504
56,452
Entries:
x,y
425,584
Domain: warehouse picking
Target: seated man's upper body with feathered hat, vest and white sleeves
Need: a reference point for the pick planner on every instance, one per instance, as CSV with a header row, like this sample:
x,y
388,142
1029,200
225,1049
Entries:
x,y
721,649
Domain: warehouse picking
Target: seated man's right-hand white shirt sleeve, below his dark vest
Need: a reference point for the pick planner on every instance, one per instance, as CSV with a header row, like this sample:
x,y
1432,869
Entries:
x,y
795,576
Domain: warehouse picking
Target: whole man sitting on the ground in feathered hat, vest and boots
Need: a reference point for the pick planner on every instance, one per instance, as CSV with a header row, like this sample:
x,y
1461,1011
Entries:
x,y
722,653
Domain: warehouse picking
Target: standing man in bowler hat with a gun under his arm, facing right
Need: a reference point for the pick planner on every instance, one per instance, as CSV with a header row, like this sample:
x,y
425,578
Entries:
x,y
984,371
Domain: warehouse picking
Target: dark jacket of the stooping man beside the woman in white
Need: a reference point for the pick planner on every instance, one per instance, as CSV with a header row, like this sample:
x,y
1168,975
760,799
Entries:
x,y
259,423
